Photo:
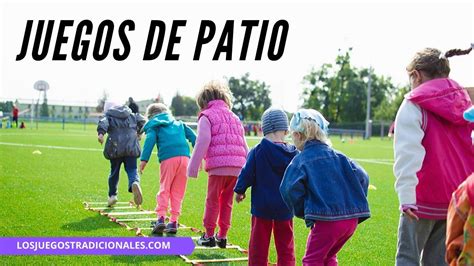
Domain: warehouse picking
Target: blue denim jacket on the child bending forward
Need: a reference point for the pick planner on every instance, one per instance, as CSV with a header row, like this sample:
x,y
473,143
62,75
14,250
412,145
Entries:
x,y
321,184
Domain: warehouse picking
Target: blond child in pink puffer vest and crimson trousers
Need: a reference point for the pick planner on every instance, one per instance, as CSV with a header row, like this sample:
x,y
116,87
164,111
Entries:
x,y
221,143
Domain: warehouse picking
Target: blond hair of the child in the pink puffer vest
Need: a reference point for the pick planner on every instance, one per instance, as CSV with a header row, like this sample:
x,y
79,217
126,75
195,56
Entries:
x,y
214,90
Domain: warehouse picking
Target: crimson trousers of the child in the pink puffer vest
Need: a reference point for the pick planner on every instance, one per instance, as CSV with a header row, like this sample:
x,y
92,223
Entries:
x,y
220,191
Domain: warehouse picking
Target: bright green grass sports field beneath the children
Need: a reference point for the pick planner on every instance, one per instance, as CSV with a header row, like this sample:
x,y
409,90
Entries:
x,y
42,195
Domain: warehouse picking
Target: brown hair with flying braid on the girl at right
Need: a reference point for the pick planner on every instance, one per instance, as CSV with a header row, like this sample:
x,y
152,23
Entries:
x,y
433,63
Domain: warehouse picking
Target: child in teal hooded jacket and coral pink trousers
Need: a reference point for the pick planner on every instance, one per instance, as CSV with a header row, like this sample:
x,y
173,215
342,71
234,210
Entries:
x,y
170,137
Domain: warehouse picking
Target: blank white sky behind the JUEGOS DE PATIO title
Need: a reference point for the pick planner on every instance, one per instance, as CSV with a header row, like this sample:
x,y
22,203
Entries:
x,y
384,35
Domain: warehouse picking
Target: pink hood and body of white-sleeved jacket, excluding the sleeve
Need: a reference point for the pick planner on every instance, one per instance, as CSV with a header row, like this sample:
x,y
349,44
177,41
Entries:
x,y
449,157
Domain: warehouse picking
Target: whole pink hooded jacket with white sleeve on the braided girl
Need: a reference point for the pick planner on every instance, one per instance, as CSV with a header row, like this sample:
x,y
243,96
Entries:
x,y
433,152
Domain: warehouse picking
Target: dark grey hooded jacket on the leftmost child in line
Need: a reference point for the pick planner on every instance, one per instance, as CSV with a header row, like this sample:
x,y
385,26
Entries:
x,y
122,127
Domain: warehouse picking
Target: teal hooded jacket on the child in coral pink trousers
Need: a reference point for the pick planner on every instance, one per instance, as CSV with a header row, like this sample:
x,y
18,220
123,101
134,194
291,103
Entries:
x,y
169,135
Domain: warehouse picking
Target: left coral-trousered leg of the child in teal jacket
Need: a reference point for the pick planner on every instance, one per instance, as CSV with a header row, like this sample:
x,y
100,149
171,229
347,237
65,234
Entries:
x,y
167,173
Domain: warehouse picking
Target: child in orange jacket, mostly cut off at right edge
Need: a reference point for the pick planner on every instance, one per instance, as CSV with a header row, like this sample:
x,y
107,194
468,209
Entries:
x,y
460,230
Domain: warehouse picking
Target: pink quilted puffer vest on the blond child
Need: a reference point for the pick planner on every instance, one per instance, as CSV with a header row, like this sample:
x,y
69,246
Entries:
x,y
227,147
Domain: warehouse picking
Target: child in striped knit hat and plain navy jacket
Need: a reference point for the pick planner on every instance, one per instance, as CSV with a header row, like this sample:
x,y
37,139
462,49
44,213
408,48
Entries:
x,y
266,164
